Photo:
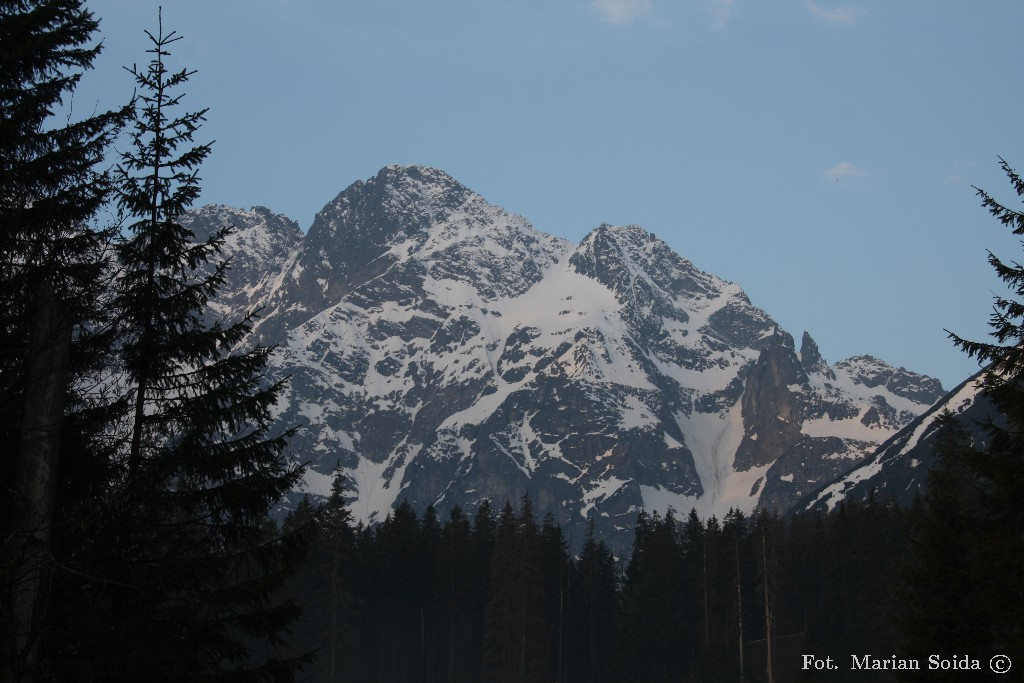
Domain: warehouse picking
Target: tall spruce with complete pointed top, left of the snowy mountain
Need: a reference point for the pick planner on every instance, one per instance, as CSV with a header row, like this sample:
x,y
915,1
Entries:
x,y
192,570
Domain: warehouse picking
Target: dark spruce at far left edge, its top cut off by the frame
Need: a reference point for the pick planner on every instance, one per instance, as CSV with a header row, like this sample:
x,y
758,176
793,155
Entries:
x,y
51,265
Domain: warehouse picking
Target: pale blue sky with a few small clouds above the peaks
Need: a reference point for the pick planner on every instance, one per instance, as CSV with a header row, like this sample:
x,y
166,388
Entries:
x,y
821,154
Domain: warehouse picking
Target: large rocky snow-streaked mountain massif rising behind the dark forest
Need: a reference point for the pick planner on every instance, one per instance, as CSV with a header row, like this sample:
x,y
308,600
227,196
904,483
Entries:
x,y
443,352
